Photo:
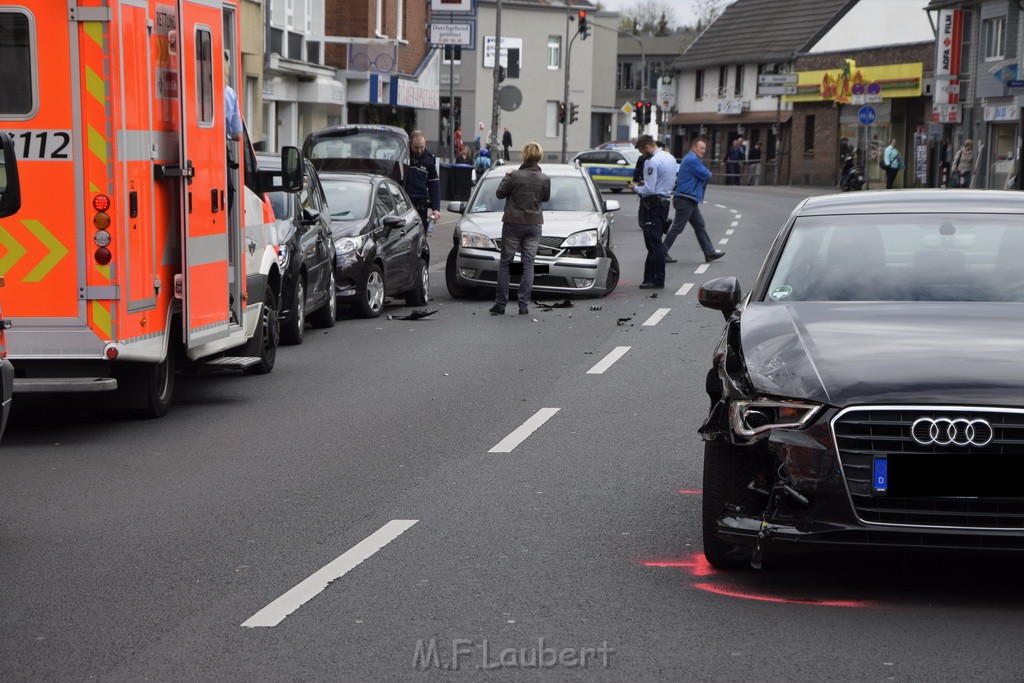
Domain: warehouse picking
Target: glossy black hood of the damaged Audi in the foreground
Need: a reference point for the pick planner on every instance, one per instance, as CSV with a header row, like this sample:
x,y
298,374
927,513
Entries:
x,y
848,354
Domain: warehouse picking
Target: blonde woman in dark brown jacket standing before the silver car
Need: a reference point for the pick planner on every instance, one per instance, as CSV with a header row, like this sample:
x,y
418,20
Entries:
x,y
524,191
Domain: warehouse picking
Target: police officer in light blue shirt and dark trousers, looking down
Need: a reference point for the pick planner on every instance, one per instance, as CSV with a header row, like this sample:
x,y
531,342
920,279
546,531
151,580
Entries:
x,y
656,198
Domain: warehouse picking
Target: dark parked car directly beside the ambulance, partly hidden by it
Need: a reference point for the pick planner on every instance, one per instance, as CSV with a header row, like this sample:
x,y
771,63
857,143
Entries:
x,y
306,253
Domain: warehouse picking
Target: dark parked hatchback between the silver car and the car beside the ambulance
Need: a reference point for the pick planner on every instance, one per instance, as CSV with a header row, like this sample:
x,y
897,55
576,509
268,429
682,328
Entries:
x,y
380,240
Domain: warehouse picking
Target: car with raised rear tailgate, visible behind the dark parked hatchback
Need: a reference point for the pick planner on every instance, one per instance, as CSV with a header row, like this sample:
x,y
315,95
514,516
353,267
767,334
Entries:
x,y
360,148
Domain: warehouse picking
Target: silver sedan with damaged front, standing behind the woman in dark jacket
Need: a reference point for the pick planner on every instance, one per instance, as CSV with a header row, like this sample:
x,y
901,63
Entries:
x,y
575,257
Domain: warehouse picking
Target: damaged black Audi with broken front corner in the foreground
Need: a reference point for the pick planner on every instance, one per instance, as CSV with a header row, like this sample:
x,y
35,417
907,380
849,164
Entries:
x,y
870,390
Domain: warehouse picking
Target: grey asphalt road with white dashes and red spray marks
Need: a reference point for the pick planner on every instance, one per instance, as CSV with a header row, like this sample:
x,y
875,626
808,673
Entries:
x,y
387,471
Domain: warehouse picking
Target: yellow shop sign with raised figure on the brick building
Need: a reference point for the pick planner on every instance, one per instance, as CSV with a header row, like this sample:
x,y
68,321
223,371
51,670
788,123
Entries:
x,y
859,86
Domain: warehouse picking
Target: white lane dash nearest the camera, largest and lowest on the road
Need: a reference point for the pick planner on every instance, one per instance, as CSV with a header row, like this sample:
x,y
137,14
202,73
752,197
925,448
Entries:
x,y
276,613
